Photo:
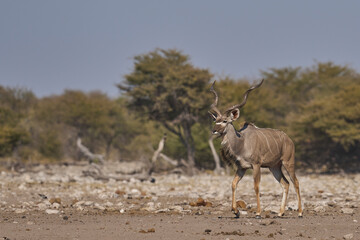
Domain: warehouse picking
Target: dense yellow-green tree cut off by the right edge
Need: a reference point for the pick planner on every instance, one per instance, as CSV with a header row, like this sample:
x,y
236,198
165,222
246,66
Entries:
x,y
326,125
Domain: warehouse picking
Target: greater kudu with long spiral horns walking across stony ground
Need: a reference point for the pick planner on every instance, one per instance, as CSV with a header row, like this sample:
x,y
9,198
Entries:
x,y
253,147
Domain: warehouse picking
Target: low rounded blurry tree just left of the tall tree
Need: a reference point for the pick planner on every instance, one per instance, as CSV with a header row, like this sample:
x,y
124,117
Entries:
x,y
101,122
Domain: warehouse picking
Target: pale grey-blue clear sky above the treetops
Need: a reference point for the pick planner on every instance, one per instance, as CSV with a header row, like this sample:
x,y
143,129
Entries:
x,y
48,46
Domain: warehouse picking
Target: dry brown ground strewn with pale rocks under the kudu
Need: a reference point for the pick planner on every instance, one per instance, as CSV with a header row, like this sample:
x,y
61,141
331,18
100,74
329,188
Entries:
x,y
59,202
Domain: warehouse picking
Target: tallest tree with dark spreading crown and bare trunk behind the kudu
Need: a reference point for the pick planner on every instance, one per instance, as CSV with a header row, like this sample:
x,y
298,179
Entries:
x,y
165,87
